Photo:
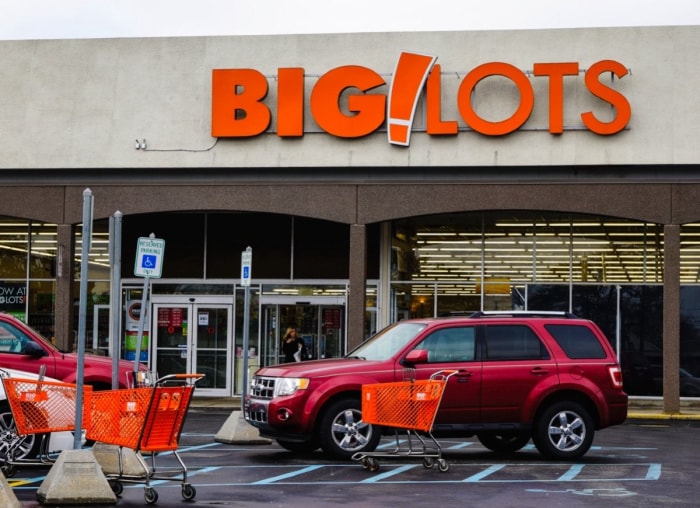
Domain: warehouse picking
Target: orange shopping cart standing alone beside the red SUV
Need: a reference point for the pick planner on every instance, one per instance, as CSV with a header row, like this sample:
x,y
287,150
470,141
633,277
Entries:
x,y
407,405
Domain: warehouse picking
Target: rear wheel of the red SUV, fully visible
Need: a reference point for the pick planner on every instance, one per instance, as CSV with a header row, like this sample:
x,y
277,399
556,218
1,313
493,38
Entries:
x,y
563,431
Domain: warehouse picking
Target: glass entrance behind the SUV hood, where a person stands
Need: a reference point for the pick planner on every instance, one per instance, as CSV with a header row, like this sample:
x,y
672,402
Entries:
x,y
321,327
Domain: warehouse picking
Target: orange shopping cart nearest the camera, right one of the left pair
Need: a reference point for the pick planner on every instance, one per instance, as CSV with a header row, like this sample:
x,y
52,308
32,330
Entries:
x,y
146,420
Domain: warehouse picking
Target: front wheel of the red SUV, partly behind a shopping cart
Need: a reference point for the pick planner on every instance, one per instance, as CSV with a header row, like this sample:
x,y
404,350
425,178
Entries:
x,y
342,433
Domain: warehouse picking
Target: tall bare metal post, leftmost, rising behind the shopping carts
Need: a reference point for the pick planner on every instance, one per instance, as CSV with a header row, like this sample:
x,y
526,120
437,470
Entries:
x,y
82,315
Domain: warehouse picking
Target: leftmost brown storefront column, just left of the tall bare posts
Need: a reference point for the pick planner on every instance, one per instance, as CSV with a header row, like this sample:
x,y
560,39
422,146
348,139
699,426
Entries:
x,y
65,274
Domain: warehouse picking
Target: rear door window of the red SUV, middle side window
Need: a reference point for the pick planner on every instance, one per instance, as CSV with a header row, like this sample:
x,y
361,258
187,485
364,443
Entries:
x,y
513,342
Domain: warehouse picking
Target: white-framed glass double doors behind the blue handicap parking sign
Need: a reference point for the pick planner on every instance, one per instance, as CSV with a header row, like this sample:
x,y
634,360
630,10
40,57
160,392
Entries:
x,y
194,338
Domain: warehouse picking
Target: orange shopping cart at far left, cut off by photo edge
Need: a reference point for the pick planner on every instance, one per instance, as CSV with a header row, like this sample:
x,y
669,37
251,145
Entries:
x,y
39,407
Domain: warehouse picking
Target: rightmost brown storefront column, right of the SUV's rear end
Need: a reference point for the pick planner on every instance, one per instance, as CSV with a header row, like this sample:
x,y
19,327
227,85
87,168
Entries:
x,y
672,315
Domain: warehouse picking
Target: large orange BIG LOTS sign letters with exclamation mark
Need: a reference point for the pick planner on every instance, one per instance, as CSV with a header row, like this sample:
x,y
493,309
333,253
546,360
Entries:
x,y
239,108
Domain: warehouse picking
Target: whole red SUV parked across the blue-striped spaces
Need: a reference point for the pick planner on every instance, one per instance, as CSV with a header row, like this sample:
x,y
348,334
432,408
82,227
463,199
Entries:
x,y
546,376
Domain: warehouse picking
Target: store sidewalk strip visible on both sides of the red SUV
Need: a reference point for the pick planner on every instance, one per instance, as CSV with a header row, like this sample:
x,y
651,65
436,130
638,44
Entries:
x,y
639,409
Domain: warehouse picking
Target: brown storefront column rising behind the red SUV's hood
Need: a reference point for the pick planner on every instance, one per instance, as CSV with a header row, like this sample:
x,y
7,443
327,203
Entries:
x,y
358,280
